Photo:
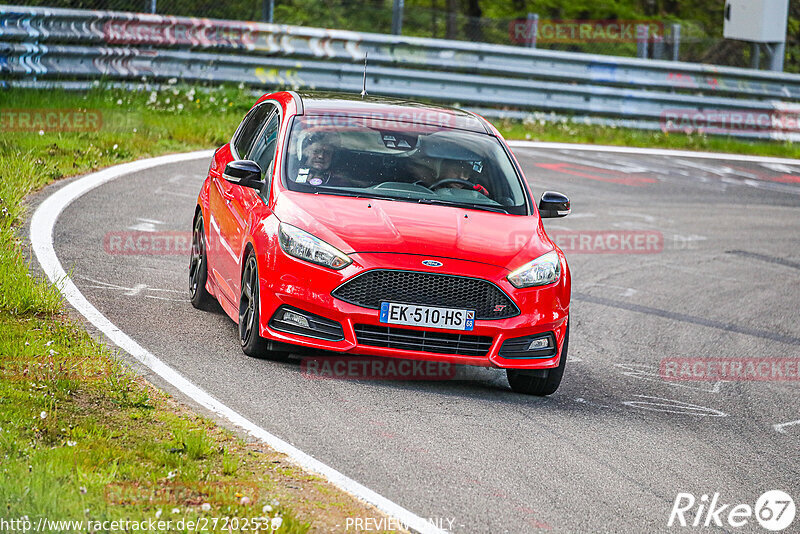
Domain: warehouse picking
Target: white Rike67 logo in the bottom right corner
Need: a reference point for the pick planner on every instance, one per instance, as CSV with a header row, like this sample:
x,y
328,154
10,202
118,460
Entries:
x,y
774,510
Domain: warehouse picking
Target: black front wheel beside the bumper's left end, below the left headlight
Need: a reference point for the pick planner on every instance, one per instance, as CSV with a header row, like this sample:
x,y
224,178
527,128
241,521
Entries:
x,y
249,319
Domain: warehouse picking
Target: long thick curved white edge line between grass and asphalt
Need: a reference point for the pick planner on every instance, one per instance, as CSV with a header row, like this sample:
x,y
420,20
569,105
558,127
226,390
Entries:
x,y
42,226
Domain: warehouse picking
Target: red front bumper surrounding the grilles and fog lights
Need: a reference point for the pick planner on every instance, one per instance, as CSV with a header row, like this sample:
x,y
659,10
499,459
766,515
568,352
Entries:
x,y
287,281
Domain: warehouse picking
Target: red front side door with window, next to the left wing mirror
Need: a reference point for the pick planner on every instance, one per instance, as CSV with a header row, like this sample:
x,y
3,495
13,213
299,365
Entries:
x,y
225,226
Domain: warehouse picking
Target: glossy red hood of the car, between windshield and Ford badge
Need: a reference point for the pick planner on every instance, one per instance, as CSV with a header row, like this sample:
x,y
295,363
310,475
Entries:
x,y
362,225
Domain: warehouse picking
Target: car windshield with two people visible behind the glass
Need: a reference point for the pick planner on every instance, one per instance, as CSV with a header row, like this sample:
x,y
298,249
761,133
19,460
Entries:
x,y
378,158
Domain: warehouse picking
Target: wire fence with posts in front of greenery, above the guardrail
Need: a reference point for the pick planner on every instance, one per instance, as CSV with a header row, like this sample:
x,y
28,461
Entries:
x,y
657,38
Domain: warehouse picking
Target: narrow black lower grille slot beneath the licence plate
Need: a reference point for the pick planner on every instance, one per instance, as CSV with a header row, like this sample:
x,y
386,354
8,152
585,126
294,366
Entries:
x,y
422,340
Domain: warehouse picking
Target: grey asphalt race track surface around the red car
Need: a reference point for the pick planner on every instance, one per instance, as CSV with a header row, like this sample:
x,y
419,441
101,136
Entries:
x,y
715,273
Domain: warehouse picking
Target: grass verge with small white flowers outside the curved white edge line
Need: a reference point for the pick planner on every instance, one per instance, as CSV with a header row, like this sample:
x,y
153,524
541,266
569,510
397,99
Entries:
x,y
82,438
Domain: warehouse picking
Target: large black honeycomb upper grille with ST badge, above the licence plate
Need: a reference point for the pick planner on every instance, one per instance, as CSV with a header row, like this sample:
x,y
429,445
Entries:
x,y
371,288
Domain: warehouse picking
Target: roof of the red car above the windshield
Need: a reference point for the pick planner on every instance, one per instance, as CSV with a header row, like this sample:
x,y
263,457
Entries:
x,y
386,108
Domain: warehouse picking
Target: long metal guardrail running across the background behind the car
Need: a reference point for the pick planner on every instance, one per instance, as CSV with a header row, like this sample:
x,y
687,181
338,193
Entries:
x,y
49,44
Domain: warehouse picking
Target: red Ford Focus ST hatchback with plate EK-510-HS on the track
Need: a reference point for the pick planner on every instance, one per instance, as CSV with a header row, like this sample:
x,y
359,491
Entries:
x,y
382,227
